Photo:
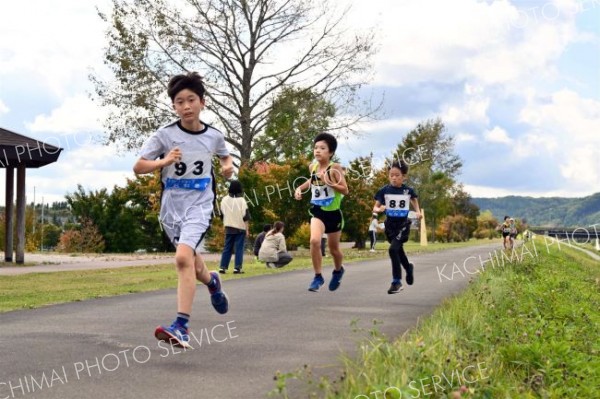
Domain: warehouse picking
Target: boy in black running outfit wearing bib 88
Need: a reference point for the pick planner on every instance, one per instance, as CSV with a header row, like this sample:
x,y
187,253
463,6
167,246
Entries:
x,y
394,200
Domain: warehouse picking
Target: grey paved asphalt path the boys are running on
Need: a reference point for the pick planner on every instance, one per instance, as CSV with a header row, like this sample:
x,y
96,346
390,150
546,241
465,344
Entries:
x,y
105,348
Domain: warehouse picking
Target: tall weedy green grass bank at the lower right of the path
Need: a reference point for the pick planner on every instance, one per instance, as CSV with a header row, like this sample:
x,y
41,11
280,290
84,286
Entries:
x,y
526,330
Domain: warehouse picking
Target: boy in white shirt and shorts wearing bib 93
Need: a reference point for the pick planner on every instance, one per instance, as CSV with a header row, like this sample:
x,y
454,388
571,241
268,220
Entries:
x,y
183,151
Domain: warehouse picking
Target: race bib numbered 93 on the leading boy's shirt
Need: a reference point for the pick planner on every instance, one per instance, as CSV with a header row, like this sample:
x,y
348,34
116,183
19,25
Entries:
x,y
191,173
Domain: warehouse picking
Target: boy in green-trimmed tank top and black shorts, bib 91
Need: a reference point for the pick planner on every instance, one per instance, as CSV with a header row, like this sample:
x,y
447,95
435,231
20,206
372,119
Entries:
x,y
328,187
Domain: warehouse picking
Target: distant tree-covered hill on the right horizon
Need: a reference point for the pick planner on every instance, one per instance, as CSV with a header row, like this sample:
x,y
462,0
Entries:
x,y
547,212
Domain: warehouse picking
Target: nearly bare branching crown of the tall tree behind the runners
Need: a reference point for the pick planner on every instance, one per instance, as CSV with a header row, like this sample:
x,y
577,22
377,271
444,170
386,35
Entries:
x,y
247,50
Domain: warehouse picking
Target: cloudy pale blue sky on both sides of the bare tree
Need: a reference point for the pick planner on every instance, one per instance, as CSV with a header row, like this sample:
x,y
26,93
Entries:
x,y
517,83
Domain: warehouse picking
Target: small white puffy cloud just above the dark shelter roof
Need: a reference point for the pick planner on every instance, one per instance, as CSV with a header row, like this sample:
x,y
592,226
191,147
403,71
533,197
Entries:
x,y
75,114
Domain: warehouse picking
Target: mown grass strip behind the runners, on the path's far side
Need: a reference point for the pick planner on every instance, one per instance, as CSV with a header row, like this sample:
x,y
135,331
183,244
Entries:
x,y
38,289
